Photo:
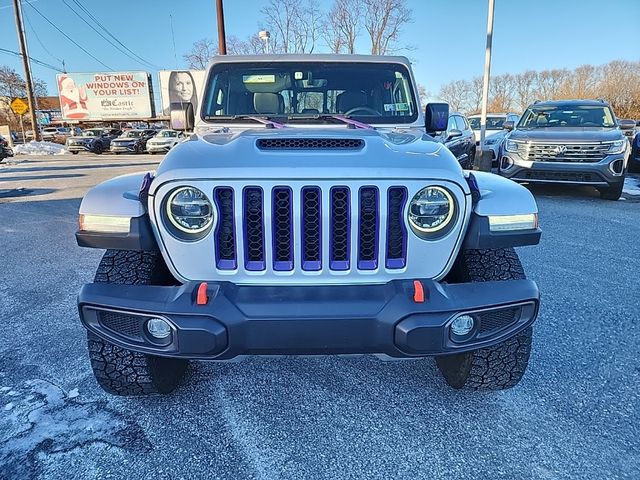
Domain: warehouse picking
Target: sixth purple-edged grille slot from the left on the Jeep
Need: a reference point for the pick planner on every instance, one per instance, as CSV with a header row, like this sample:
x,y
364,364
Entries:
x,y
368,224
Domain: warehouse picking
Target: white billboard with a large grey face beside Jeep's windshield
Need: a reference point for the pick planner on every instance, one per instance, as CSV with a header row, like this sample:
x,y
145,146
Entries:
x,y
180,86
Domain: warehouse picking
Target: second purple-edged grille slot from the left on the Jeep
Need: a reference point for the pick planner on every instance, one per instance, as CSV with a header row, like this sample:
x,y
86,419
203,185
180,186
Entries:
x,y
253,229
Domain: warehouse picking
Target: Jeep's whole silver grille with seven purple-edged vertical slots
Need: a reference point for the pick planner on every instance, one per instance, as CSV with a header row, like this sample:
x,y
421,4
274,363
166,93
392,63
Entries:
x,y
296,225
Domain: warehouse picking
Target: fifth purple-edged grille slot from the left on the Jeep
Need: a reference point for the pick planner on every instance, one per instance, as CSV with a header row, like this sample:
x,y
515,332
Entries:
x,y
339,236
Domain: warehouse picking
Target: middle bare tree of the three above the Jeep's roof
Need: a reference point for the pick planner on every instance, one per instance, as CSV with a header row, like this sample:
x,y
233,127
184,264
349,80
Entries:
x,y
343,25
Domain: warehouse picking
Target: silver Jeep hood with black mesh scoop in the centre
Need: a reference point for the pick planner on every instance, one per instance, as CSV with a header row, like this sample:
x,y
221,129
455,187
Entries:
x,y
292,153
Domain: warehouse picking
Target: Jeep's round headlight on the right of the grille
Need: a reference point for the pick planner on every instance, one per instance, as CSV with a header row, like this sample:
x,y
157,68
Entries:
x,y
431,210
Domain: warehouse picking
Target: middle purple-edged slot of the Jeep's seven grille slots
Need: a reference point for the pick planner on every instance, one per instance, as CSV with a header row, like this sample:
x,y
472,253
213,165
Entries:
x,y
311,229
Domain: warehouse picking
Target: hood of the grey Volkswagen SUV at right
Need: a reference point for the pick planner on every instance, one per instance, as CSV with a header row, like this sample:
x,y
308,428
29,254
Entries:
x,y
566,134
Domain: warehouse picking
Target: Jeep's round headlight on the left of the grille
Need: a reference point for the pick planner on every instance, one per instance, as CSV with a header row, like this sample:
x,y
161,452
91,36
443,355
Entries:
x,y
189,210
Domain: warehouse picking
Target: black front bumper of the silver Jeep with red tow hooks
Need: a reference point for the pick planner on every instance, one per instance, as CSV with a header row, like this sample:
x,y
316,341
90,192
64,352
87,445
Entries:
x,y
307,320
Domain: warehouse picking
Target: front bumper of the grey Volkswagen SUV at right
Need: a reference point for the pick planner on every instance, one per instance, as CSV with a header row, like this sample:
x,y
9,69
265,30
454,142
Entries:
x,y
597,174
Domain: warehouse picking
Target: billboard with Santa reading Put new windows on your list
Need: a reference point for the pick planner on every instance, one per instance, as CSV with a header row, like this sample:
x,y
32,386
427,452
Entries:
x,y
106,96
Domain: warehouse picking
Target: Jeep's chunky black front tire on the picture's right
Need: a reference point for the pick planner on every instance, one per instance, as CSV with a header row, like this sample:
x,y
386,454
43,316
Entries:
x,y
503,365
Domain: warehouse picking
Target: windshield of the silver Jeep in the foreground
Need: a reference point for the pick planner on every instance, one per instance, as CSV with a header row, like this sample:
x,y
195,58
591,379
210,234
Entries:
x,y
369,92
